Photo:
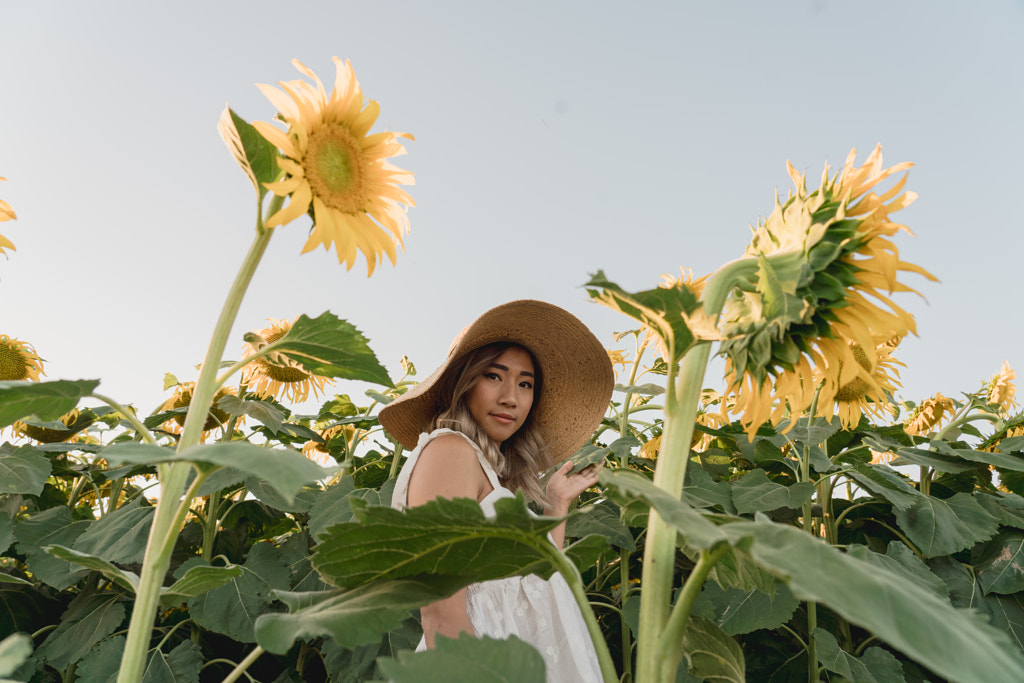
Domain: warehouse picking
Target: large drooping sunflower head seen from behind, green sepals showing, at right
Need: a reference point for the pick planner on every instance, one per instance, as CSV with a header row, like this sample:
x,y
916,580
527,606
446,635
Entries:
x,y
826,269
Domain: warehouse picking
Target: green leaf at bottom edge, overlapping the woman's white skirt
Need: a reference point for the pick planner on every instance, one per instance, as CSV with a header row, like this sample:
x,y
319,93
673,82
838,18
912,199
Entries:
x,y
468,659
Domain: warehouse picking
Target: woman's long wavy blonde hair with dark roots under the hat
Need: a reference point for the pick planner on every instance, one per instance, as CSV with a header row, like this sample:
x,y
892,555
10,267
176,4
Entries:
x,y
521,458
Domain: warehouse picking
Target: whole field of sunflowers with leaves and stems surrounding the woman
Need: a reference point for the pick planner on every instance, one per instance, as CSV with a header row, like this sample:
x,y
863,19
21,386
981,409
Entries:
x,y
797,524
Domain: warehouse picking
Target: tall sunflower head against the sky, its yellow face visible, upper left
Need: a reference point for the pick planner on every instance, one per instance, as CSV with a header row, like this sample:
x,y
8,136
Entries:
x,y
334,166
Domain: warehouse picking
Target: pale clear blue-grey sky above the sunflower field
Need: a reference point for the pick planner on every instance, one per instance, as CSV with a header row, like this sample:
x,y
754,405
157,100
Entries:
x,y
552,140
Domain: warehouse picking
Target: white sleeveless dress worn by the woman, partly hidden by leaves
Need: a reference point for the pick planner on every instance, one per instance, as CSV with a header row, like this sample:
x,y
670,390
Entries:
x,y
541,613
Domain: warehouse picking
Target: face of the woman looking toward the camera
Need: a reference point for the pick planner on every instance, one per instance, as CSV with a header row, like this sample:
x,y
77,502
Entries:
x,y
501,400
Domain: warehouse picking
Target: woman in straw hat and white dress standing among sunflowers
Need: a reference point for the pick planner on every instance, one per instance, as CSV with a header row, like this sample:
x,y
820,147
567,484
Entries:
x,y
524,388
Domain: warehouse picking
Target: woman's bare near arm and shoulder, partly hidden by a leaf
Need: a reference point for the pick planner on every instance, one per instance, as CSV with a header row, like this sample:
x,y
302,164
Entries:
x,y
448,468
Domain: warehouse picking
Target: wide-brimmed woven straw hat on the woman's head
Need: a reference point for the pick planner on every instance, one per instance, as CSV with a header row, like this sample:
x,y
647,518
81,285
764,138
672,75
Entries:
x,y
576,376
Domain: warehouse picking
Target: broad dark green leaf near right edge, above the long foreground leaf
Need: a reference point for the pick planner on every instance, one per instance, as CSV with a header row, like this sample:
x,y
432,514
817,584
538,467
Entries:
x,y
946,527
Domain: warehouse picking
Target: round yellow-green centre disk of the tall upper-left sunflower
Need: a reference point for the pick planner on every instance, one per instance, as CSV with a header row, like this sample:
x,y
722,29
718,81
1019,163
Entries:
x,y
333,167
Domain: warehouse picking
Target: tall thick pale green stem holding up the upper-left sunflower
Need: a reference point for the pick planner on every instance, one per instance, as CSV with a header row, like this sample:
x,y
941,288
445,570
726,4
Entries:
x,y
172,508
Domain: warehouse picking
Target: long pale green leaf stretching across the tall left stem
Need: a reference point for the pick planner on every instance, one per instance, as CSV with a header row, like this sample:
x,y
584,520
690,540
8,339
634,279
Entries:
x,y
286,472
